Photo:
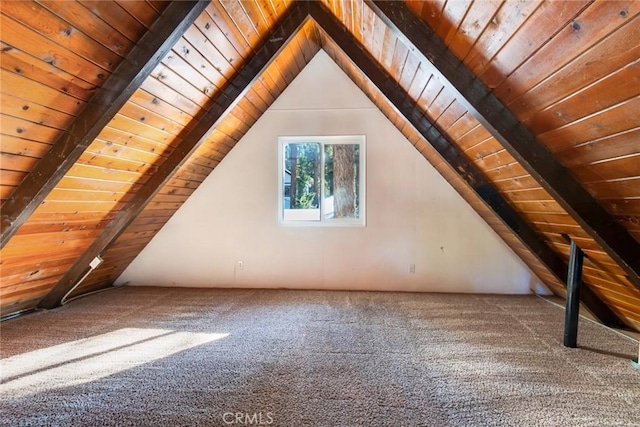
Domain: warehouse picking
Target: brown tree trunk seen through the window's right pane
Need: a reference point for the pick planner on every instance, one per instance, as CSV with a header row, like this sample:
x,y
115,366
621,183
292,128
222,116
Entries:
x,y
344,181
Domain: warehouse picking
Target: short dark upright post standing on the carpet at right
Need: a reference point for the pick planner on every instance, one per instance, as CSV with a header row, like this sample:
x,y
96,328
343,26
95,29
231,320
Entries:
x,y
574,282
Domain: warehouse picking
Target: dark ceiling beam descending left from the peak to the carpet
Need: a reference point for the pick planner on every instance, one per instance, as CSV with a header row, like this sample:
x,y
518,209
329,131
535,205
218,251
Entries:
x,y
227,98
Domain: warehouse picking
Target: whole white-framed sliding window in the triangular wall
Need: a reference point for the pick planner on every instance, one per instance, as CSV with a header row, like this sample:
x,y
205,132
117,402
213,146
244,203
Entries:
x,y
322,180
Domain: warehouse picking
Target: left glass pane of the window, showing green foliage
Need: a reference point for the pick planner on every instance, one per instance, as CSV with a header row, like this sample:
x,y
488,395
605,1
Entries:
x,y
301,181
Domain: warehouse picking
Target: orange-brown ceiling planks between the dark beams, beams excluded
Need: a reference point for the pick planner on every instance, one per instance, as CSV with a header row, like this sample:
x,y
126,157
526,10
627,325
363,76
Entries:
x,y
568,71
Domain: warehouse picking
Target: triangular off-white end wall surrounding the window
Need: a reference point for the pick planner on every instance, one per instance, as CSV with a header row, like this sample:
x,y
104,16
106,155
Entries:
x,y
413,215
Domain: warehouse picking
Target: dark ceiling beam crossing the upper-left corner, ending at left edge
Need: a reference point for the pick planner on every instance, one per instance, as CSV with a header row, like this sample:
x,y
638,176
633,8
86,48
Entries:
x,y
102,107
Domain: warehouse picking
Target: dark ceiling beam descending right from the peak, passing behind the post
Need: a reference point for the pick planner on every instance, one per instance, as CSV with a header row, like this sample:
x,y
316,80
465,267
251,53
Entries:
x,y
408,108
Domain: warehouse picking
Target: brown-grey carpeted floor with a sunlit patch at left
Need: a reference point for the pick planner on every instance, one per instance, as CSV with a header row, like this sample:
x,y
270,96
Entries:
x,y
188,357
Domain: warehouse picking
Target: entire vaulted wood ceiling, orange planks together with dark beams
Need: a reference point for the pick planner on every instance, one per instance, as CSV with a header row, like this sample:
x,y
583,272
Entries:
x,y
114,112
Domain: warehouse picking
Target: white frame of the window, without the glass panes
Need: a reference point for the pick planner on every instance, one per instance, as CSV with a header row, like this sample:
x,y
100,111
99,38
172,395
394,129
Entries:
x,y
324,140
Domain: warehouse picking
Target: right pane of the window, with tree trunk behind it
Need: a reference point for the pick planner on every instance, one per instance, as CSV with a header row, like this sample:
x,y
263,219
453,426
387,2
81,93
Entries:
x,y
342,181
